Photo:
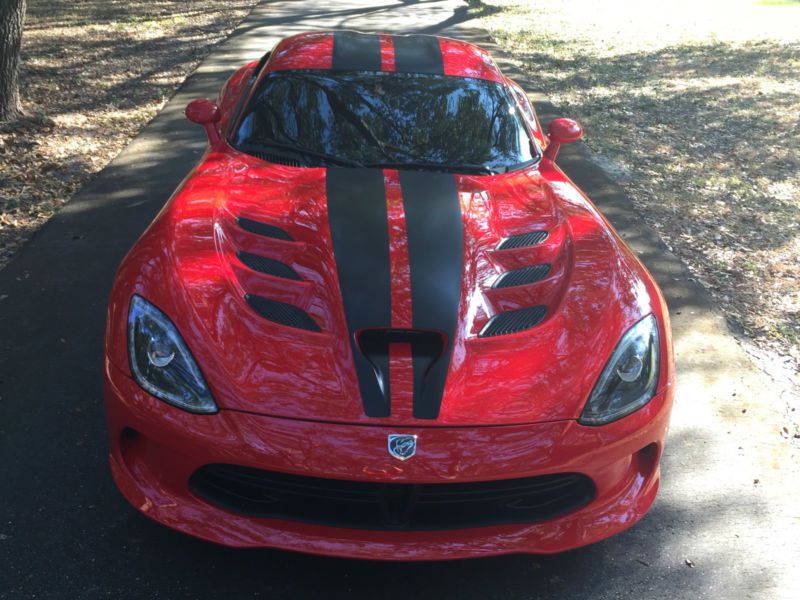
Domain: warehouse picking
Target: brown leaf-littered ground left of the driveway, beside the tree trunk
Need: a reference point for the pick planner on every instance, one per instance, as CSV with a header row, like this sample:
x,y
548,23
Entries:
x,y
94,73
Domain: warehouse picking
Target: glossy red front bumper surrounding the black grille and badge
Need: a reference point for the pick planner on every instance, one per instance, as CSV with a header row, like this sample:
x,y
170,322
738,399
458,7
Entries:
x,y
155,448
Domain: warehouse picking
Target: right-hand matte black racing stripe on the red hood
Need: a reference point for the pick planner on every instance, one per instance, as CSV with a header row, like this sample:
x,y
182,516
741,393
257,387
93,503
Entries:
x,y
436,256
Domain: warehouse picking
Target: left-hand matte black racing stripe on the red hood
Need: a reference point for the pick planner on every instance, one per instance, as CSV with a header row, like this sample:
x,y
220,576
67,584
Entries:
x,y
360,231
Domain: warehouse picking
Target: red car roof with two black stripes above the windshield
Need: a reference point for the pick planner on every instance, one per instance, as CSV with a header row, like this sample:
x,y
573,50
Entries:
x,y
356,51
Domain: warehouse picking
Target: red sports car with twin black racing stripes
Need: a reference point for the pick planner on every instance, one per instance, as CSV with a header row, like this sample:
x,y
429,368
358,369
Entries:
x,y
378,321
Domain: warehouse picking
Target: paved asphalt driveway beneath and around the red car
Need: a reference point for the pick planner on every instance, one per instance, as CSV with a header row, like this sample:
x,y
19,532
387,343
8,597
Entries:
x,y
724,526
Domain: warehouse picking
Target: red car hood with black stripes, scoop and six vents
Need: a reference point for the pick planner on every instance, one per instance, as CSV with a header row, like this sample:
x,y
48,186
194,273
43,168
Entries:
x,y
368,296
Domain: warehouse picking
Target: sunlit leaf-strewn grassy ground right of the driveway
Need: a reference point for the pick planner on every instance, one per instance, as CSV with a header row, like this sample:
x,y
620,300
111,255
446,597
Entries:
x,y
697,105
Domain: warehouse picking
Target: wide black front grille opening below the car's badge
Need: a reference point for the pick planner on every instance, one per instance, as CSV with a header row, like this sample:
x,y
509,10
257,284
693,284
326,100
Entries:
x,y
391,506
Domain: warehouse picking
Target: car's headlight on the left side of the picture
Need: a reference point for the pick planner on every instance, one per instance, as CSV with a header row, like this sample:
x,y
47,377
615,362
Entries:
x,y
160,361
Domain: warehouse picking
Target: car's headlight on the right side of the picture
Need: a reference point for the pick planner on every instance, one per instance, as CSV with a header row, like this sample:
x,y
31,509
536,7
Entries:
x,y
629,379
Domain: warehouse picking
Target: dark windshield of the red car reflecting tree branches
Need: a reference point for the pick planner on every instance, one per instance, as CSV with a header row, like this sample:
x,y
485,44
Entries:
x,y
382,119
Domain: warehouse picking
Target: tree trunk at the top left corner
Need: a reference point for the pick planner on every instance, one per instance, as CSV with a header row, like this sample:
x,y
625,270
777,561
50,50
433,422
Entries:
x,y
12,15
